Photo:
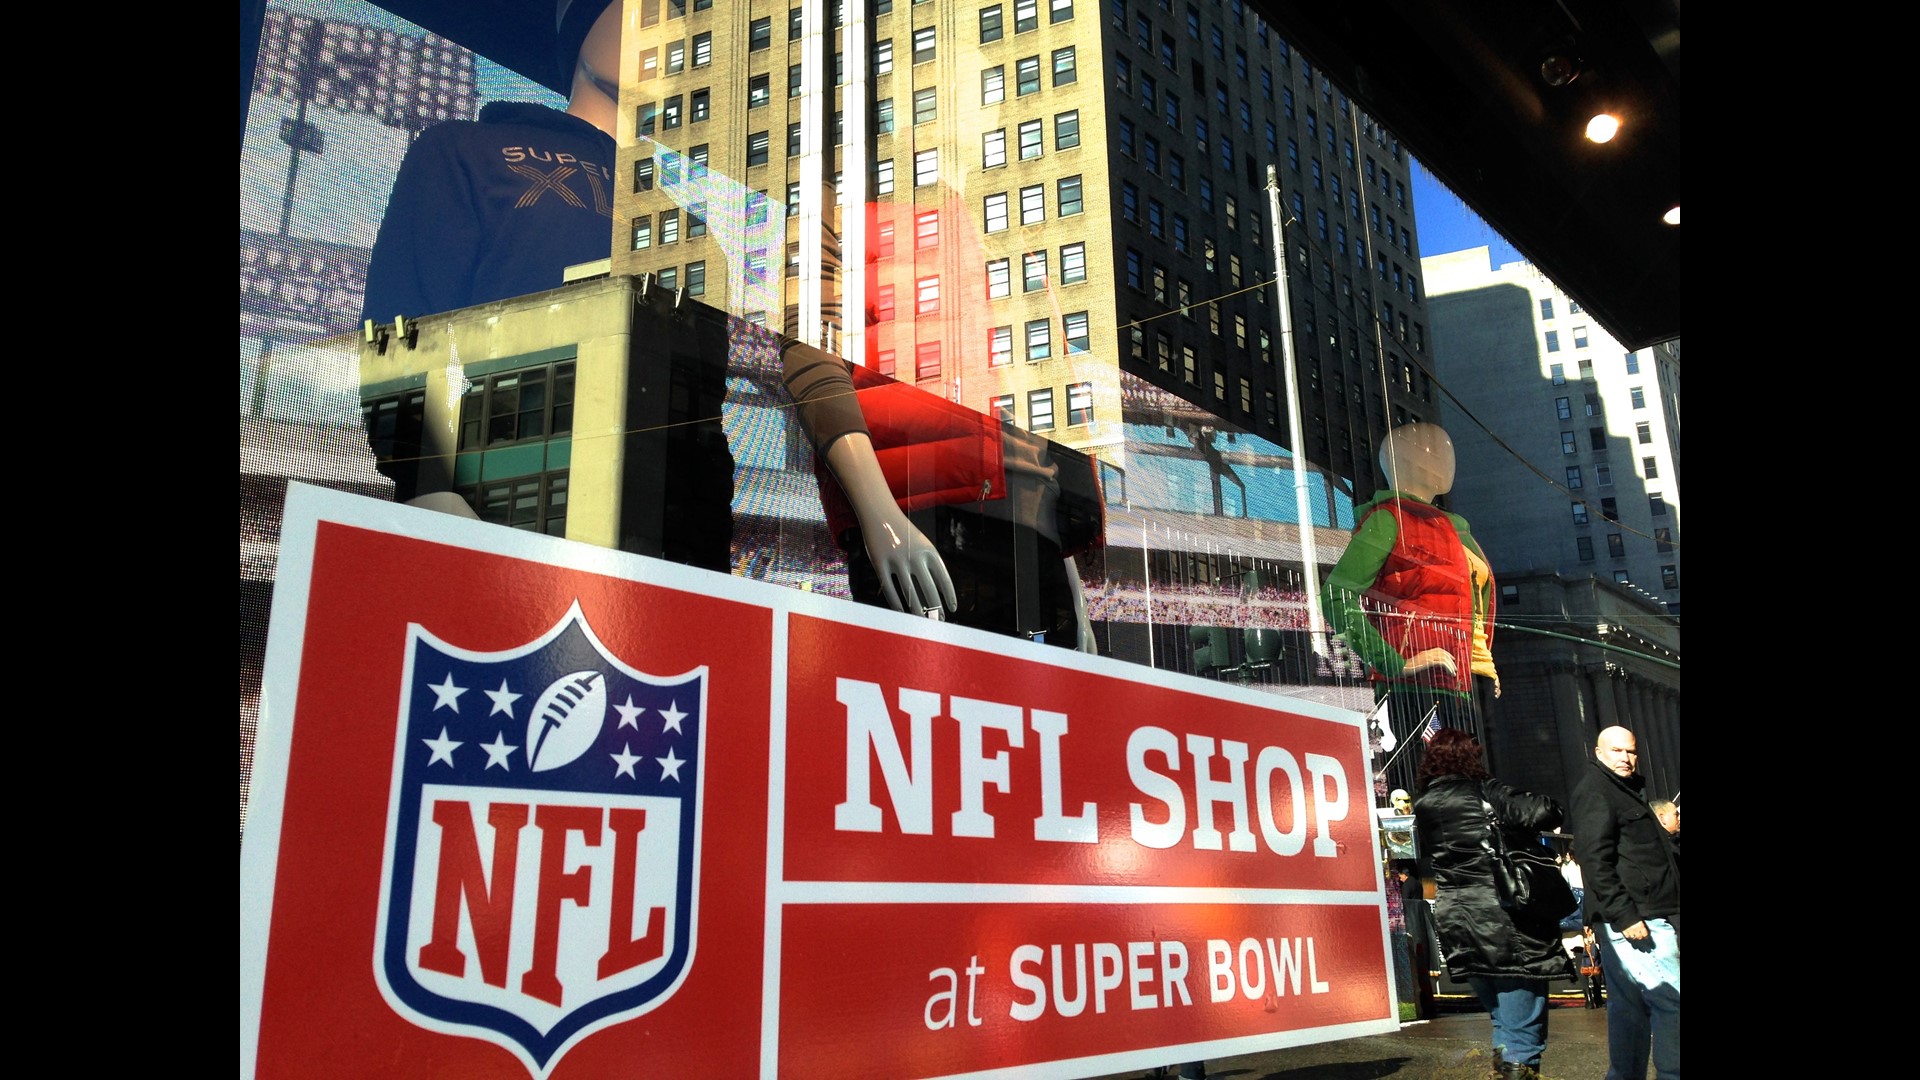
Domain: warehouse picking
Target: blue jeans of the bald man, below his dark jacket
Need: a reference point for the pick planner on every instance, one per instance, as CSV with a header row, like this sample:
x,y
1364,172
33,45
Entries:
x,y
1643,1002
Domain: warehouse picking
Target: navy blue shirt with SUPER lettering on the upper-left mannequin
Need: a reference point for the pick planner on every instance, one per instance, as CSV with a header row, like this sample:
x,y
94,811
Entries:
x,y
492,209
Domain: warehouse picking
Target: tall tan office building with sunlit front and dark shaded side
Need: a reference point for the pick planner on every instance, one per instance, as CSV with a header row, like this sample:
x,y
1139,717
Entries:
x,y
1055,191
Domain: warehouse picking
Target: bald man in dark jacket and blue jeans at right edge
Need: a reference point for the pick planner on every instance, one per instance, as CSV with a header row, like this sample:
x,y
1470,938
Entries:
x,y
1633,902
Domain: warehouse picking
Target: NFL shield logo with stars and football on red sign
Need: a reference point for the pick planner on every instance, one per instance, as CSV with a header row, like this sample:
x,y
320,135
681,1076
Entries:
x,y
542,841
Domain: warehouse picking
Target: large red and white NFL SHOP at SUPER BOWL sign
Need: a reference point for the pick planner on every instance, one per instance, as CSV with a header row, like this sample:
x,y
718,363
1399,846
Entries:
x,y
529,808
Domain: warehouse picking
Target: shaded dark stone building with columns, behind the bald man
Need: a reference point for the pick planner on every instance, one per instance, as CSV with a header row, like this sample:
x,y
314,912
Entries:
x,y
1577,656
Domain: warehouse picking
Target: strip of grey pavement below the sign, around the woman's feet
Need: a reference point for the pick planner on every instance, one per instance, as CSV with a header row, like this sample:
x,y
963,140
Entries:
x,y
1451,1048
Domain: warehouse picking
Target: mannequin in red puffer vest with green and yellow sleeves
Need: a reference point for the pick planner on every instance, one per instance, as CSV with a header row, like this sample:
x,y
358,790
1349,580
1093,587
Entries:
x,y
1412,595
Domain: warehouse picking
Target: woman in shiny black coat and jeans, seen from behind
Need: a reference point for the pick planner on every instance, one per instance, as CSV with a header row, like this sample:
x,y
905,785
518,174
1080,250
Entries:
x,y
1506,960
